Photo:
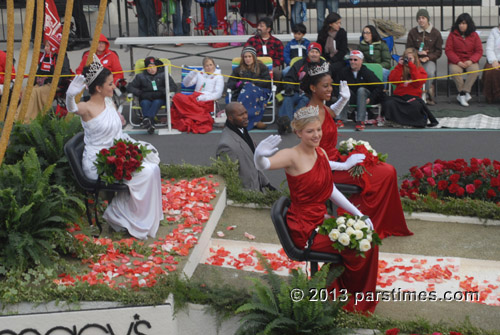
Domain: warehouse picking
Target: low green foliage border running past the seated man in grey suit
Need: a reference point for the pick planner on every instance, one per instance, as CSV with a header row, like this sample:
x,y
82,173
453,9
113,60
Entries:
x,y
229,171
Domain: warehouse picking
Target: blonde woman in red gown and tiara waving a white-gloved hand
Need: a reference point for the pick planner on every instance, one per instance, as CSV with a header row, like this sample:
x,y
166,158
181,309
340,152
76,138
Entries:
x,y
311,183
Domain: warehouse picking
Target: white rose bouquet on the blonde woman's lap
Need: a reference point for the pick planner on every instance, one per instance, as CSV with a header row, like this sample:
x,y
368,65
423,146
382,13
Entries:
x,y
351,232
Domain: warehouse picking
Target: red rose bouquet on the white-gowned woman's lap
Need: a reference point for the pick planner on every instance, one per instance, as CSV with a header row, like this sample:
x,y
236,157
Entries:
x,y
117,163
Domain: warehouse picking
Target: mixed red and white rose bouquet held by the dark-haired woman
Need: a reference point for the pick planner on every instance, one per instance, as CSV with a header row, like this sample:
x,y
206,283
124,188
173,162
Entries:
x,y
352,146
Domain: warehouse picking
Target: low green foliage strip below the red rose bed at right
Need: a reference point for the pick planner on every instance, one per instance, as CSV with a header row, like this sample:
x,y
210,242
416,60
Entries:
x,y
452,206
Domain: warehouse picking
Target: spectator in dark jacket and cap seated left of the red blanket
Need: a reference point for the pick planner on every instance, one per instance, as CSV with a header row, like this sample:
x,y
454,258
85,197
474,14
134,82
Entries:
x,y
149,87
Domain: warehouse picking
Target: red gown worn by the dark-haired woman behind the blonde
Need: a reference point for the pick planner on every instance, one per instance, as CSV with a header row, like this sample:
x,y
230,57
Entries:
x,y
380,197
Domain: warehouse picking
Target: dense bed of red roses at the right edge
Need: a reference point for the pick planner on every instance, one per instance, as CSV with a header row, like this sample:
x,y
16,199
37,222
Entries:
x,y
456,178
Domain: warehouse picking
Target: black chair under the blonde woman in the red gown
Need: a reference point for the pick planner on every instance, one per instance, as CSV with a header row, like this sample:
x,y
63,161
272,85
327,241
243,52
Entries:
x,y
278,216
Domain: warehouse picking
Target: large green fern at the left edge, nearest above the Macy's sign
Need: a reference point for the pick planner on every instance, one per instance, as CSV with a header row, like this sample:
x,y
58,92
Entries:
x,y
33,213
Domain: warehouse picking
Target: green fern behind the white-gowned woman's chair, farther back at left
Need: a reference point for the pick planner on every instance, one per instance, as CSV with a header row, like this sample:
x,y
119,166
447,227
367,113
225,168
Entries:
x,y
47,134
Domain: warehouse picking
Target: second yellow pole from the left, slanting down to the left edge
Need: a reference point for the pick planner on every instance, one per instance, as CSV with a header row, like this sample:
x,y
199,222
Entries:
x,y
23,55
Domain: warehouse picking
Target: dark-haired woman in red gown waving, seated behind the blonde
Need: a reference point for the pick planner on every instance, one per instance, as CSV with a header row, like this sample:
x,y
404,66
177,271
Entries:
x,y
380,197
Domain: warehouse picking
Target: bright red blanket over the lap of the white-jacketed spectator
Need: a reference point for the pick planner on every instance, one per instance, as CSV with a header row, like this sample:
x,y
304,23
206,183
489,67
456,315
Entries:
x,y
190,115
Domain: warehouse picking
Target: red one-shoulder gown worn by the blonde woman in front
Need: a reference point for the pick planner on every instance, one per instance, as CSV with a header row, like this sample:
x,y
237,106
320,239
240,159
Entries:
x,y
309,192
